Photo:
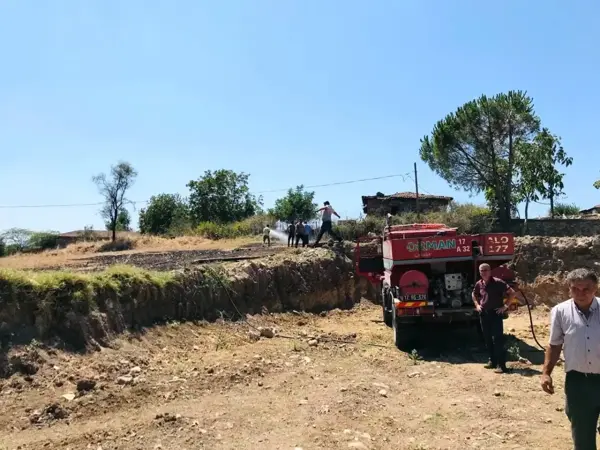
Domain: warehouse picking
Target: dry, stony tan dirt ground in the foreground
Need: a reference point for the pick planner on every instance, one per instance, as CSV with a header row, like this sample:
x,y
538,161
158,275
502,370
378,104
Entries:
x,y
210,386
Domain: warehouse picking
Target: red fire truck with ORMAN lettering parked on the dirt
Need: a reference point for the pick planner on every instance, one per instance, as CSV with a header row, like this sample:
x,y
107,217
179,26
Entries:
x,y
425,273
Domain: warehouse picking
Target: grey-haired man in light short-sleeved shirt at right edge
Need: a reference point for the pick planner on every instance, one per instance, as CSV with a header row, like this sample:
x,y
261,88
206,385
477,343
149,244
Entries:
x,y
575,327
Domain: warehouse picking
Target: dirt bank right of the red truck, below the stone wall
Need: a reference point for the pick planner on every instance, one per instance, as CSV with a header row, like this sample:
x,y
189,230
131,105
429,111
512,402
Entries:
x,y
542,264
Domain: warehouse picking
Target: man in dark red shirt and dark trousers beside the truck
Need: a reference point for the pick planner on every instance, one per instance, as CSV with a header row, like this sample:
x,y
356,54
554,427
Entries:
x,y
488,296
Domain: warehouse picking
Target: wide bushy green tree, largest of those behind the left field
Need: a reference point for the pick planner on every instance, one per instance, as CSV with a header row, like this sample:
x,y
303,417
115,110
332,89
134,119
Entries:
x,y
222,196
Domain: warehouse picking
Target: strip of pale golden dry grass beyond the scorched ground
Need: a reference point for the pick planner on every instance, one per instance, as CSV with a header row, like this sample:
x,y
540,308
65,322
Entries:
x,y
75,252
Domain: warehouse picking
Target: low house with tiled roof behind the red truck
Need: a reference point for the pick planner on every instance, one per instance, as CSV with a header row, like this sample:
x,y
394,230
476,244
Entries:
x,y
403,202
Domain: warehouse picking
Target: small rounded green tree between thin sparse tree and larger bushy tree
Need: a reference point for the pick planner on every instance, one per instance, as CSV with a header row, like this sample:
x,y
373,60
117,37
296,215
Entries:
x,y
164,213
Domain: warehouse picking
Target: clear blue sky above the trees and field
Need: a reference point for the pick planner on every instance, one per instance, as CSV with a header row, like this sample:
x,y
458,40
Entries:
x,y
291,92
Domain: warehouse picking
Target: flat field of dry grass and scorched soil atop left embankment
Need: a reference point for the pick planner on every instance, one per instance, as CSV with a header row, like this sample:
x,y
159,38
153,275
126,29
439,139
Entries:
x,y
152,255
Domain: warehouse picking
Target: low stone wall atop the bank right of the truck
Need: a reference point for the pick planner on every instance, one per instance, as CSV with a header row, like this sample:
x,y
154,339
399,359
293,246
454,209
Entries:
x,y
557,227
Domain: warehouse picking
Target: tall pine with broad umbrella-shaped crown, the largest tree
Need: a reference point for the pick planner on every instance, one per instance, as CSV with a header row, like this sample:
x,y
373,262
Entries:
x,y
476,147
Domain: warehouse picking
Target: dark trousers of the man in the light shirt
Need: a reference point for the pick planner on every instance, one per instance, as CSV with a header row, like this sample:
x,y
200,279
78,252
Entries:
x,y
583,408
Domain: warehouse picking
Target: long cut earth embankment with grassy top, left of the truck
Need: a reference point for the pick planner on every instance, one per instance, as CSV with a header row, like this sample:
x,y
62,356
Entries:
x,y
83,310
